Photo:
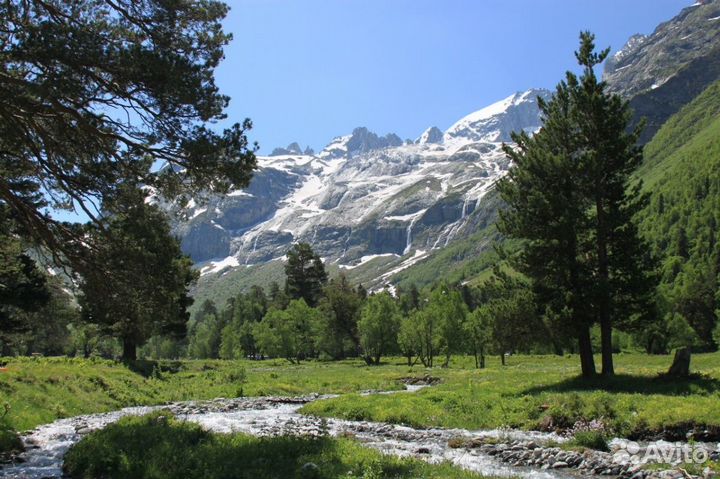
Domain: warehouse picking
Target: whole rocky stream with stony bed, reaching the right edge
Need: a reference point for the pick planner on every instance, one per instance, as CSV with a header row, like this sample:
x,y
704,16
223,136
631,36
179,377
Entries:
x,y
503,453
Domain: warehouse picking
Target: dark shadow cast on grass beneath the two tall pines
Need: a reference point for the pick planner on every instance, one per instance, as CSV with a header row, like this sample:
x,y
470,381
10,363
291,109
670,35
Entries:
x,y
627,383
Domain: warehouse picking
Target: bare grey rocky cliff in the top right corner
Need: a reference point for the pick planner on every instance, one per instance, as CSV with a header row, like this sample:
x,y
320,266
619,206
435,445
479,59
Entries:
x,y
661,72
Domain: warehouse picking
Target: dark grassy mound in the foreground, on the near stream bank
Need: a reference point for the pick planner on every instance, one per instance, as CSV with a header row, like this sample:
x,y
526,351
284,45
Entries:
x,y
158,446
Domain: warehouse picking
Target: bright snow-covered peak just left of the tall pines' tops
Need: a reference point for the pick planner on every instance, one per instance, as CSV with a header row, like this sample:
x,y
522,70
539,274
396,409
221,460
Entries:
x,y
495,122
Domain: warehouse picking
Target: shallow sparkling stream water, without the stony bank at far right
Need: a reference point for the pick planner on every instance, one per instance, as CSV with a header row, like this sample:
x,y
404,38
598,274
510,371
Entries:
x,y
274,416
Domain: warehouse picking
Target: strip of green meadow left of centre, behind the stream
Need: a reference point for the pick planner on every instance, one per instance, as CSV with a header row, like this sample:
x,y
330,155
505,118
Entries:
x,y
40,390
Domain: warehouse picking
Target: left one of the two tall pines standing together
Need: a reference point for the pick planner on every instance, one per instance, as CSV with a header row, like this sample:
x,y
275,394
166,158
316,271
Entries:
x,y
548,211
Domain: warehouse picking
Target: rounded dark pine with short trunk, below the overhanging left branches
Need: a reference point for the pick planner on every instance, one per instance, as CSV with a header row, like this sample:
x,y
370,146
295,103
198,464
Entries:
x,y
137,283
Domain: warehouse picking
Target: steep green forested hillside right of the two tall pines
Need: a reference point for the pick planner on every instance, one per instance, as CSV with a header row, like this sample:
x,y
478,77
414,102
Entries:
x,y
681,173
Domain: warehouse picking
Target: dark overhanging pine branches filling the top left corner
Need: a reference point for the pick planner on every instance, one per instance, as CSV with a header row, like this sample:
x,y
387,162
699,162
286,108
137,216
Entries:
x,y
96,92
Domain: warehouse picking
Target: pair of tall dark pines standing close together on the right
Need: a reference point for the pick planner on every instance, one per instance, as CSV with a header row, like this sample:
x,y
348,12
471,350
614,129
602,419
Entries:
x,y
571,199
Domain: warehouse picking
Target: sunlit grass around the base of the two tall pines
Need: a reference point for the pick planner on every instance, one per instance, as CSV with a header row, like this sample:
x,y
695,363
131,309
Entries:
x,y
536,392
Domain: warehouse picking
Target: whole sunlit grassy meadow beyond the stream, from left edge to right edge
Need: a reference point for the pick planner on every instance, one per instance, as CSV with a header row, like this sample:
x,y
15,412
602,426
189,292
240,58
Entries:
x,y
530,392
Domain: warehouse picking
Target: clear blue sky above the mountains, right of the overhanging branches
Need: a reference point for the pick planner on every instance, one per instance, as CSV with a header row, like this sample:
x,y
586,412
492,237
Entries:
x,y
309,70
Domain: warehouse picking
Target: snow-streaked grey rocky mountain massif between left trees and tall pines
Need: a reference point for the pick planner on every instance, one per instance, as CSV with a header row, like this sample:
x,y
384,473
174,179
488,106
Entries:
x,y
363,196
